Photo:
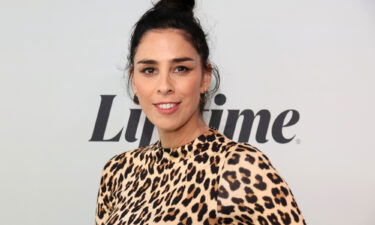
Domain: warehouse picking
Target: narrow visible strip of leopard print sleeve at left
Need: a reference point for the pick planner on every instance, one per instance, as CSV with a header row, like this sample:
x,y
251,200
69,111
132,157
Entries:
x,y
104,204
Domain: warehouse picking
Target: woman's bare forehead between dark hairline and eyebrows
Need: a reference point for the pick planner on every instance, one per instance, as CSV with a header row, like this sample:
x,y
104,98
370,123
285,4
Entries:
x,y
164,44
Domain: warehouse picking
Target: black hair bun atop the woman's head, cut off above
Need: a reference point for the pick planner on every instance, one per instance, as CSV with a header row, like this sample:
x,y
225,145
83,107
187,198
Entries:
x,y
175,5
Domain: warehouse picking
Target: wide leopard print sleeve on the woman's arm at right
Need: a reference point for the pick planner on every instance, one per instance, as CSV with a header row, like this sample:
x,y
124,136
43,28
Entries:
x,y
251,191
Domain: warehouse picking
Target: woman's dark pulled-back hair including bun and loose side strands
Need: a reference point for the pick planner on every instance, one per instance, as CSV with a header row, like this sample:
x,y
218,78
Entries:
x,y
176,14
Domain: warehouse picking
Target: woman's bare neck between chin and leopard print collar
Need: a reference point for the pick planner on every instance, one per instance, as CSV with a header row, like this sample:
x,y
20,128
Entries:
x,y
183,134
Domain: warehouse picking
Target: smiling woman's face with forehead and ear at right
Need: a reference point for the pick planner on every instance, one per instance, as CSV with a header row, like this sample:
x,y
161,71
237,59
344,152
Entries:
x,y
168,78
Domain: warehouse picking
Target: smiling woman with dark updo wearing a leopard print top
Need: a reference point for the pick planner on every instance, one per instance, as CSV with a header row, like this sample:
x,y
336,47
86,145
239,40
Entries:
x,y
193,174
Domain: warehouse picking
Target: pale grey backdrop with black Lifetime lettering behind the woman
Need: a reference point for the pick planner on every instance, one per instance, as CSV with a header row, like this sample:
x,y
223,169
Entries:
x,y
297,82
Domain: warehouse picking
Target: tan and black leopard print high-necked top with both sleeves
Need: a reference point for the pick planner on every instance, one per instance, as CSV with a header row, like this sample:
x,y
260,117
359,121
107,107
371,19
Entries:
x,y
211,180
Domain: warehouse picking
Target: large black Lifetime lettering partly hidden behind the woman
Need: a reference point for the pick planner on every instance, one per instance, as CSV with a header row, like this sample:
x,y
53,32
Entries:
x,y
248,116
